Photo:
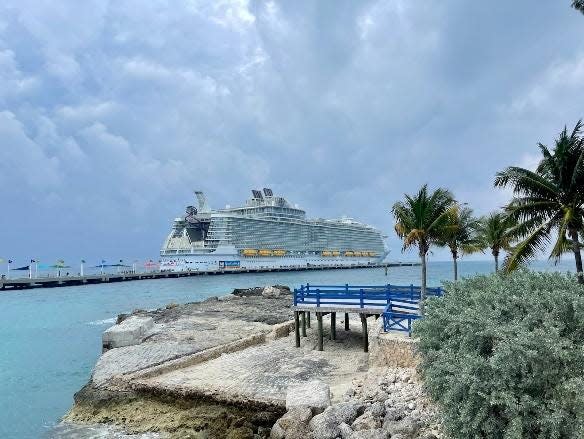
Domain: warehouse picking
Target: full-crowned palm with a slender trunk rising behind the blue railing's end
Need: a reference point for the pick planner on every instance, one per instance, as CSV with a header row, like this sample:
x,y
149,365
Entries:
x,y
419,222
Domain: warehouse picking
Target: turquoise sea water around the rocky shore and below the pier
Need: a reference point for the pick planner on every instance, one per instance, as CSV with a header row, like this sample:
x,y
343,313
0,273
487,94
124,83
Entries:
x,y
51,338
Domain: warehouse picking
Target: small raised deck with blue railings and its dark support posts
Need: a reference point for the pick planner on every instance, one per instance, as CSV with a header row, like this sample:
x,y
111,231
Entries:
x,y
398,305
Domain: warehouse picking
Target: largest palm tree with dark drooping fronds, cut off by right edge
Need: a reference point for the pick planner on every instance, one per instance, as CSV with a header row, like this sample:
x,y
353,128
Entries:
x,y
551,199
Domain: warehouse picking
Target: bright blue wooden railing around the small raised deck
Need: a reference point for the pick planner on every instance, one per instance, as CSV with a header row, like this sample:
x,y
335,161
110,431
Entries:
x,y
398,304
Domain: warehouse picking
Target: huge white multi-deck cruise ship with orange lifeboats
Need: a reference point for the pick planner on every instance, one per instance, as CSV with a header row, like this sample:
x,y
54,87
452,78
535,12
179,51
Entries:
x,y
267,232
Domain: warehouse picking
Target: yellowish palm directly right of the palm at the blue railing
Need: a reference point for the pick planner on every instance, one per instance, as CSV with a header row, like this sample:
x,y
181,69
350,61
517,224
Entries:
x,y
460,234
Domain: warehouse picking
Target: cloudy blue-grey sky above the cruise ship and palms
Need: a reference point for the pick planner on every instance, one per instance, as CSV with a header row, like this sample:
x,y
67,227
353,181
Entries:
x,y
113,112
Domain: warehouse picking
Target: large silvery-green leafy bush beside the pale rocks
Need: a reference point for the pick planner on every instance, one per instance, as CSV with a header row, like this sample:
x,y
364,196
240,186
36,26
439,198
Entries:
x,y
503,356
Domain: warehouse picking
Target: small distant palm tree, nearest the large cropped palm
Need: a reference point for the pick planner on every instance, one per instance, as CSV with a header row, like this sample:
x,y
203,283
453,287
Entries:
x,y
496,232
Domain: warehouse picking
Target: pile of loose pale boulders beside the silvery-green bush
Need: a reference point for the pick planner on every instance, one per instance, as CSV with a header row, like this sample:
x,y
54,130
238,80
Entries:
x,y
387,403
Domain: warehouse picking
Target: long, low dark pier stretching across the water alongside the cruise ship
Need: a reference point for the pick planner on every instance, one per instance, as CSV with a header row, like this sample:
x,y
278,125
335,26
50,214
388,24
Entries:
x,y
66,281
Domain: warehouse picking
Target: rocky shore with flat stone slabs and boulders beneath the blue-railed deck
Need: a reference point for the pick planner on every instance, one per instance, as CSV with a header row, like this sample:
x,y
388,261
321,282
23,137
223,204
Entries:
x,y
226,368
